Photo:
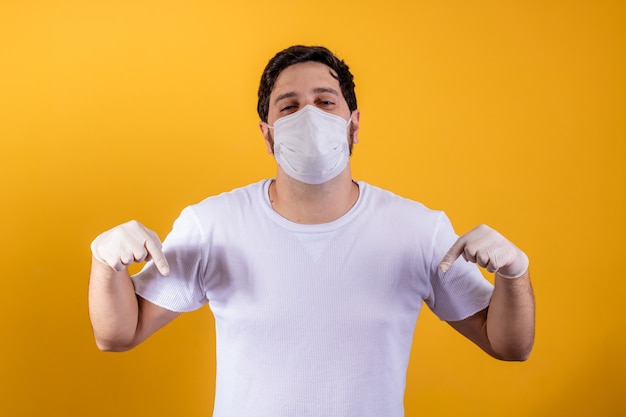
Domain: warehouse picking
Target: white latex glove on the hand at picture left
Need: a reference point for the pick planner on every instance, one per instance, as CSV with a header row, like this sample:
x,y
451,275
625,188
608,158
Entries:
x,y
127,243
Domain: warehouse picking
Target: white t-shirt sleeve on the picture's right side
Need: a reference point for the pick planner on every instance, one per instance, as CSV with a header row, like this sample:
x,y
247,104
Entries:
x,y
461,291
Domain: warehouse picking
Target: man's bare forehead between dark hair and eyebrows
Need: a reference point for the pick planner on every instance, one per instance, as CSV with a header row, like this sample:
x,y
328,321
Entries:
x,y
305,76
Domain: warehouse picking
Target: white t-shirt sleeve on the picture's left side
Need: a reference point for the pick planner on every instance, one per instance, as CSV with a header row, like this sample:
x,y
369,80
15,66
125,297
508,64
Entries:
x,y
181,290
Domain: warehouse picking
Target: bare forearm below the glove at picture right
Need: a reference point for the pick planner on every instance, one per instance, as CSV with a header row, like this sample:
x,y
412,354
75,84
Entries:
x,y
511,318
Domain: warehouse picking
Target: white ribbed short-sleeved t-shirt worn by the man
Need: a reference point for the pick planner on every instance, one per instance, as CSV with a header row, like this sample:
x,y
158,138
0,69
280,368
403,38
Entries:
x,y
312,320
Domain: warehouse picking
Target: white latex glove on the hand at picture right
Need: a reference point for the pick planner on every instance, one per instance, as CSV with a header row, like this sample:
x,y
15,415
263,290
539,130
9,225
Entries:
x,y
489,249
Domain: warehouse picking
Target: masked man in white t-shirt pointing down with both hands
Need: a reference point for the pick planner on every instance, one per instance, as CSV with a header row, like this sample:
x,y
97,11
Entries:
x,y
315,280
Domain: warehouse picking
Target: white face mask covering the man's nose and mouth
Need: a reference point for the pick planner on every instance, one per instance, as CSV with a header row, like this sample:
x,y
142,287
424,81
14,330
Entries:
x,y
311,145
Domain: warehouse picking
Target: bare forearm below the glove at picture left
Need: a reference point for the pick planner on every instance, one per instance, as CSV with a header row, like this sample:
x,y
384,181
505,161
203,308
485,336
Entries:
x,y
113,307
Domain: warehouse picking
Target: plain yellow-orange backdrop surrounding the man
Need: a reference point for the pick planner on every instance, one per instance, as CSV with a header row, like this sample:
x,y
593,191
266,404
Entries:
x,y
505,113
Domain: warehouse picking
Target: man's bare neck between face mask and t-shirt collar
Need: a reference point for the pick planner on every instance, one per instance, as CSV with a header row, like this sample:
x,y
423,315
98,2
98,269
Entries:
x,y
313,204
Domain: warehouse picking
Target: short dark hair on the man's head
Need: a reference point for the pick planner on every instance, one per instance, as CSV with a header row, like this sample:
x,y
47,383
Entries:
x,y
295,55
